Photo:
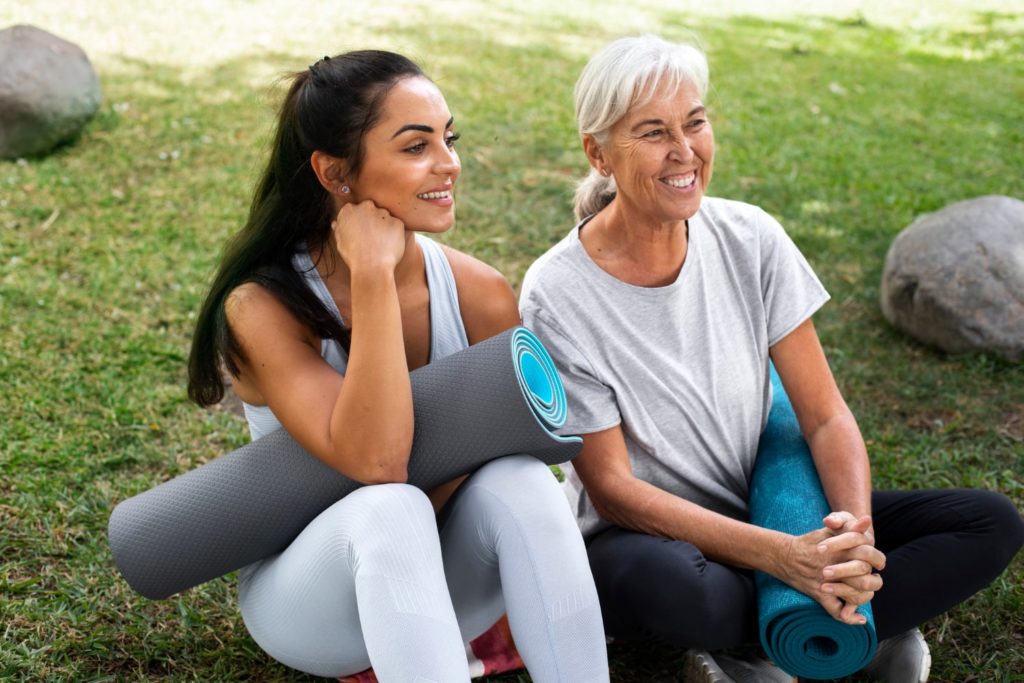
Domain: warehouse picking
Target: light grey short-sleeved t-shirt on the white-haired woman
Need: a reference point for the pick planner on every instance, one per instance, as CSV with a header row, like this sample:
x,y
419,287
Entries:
x,y
684,368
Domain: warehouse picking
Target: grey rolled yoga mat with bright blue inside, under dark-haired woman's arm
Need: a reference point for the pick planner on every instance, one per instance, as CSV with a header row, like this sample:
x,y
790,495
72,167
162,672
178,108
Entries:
x,y
499,398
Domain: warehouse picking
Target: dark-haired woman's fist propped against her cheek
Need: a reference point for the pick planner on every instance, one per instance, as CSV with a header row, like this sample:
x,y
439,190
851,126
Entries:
x,y
368,237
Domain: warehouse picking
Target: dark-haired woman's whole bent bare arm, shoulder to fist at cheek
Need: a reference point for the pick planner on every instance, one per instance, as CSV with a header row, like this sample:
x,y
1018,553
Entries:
x,y
361,424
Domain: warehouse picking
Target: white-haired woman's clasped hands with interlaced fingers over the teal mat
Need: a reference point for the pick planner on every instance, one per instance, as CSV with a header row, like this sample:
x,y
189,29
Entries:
x,y
837,566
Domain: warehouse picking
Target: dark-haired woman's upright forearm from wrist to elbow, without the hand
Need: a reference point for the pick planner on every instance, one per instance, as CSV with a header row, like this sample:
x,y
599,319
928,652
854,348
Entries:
x,y
372,422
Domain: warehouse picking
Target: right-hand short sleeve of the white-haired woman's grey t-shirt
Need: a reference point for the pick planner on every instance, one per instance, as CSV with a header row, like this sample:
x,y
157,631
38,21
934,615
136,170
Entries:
x,y
791,291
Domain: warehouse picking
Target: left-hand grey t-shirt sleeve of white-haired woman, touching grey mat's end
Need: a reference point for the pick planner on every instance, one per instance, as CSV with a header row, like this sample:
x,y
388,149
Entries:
x,y
592,405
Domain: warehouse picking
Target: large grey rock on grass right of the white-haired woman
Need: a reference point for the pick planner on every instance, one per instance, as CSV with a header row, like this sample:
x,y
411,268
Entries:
x,y
955,279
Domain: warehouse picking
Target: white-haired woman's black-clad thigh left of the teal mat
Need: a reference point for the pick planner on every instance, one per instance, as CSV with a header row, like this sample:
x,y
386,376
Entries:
x,y
658,588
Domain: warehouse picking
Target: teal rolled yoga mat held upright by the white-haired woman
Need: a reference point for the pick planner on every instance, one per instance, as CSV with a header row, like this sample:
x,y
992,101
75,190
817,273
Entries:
x,y
786,495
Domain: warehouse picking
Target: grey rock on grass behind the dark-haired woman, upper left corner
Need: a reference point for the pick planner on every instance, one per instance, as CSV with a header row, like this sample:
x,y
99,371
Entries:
x,y
49,92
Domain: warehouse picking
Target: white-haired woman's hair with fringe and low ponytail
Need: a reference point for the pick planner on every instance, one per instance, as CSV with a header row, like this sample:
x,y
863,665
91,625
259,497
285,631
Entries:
x,y
624,75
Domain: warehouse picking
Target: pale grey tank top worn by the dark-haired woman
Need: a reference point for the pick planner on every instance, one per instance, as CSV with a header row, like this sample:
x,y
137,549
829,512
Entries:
x,y
448,334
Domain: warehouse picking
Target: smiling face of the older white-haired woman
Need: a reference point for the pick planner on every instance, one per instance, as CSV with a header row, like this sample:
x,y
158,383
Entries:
x,y
662,155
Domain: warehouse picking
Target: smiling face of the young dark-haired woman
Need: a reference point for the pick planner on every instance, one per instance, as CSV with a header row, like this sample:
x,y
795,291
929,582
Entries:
x,y
410,164
